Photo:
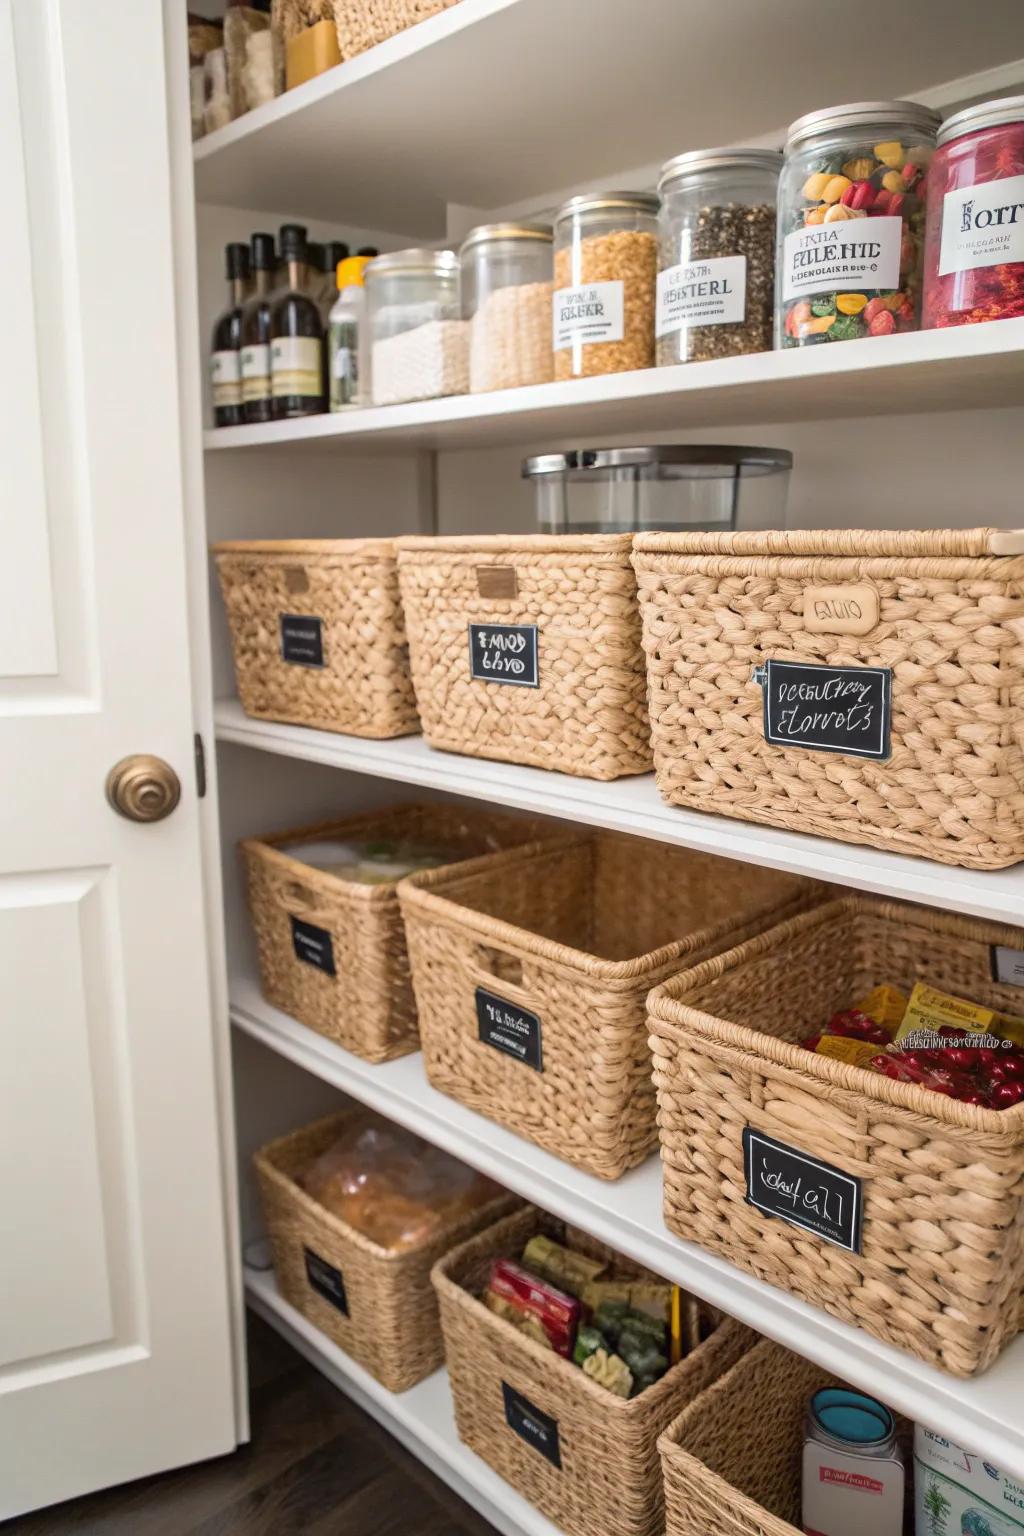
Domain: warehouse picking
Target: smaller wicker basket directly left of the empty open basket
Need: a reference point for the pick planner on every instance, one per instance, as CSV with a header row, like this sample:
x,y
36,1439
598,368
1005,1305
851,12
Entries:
x,y
332,953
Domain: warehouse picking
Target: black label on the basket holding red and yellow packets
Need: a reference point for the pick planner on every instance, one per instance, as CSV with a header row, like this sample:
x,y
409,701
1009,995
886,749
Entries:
x,y
804,1191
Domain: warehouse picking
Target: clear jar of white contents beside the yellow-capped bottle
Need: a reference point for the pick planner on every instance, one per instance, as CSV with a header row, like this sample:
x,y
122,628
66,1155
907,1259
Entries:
x,y
418,346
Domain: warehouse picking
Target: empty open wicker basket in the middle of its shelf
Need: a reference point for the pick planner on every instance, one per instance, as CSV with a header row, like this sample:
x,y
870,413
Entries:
x,y
567,939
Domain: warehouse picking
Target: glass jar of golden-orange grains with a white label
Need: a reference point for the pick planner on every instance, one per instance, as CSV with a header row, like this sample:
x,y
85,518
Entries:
x,y
606,273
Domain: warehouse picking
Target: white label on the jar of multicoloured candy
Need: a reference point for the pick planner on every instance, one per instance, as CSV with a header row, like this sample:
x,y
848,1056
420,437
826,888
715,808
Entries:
x,y
851,254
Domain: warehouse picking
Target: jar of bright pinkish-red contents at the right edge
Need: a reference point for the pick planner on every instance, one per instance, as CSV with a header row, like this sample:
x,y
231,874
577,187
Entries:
x,y
974,245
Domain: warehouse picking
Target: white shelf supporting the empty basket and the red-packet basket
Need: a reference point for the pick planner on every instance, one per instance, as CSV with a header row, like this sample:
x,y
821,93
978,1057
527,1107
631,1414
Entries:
x,y
983,1415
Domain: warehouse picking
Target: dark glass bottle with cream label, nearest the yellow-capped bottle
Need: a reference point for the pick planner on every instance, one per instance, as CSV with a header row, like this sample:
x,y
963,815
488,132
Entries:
x,y
297,337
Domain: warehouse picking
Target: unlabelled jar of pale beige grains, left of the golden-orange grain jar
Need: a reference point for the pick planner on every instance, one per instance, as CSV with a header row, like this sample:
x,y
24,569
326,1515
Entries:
x,y
507,300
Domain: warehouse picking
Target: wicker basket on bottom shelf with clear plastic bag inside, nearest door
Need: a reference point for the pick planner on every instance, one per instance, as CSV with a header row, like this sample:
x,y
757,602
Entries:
x,y
374,1303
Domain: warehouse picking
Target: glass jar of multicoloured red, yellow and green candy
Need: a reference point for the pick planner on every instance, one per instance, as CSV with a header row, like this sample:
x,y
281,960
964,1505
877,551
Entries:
x,y
851,222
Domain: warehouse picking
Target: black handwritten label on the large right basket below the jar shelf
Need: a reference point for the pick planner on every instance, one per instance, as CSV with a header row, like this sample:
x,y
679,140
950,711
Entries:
x,y
828,709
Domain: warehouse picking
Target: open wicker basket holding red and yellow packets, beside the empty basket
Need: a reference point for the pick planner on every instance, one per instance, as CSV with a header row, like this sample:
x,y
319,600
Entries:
x,y
940,1268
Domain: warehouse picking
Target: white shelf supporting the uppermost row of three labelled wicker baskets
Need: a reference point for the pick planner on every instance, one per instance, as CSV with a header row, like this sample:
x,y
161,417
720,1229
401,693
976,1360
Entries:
x,y
633,806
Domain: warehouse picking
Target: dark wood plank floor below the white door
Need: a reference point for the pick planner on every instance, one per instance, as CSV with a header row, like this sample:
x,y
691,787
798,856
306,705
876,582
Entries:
x,y
315,1466
